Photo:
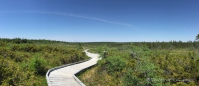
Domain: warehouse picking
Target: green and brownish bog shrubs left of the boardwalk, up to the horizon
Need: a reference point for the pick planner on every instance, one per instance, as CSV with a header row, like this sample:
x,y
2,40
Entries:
x,y
25,62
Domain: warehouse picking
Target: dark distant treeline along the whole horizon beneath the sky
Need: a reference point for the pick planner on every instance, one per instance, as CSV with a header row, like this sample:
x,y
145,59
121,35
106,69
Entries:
x,y
150,45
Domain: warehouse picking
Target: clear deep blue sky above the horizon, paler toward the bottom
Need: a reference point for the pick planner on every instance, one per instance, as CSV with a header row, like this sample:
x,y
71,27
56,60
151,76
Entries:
x,y
100,20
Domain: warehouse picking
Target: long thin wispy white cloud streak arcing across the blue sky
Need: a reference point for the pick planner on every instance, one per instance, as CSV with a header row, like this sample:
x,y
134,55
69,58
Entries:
x,y
72,15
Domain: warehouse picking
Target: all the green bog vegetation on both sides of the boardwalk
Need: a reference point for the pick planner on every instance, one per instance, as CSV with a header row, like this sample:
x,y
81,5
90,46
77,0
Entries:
x,y
25,62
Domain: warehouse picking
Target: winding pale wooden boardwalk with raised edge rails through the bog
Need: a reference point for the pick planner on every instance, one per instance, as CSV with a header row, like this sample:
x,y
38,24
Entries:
x,y
65,76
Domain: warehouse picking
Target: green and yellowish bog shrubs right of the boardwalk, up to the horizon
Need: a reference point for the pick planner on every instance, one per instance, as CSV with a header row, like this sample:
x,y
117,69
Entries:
x,y
144,64
